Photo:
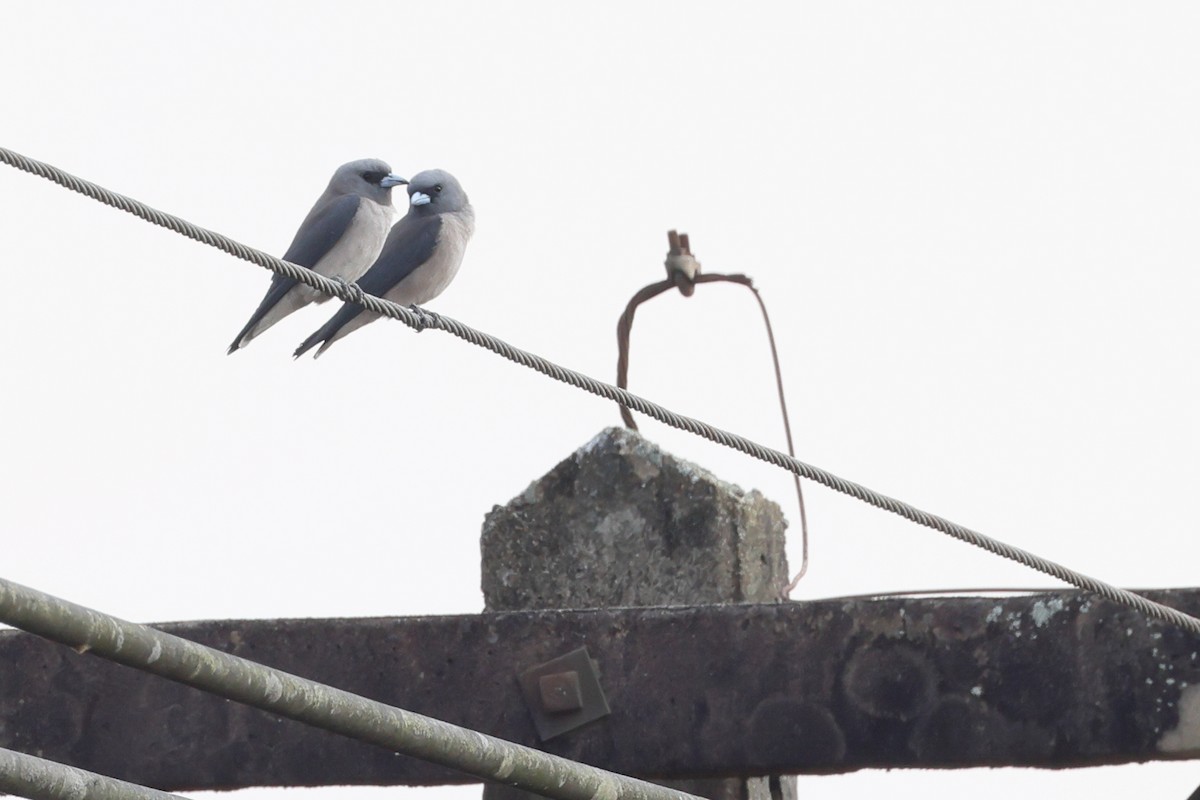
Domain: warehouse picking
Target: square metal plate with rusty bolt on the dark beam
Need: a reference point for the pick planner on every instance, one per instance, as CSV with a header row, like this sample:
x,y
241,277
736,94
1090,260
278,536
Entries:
x,y
563,694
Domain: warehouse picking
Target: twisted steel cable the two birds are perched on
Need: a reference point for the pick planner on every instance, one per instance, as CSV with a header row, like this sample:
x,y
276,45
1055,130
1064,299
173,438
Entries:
x,y
421,320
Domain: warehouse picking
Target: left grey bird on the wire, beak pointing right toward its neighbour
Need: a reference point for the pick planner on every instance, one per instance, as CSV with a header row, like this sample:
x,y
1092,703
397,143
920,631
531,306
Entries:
x,y
340,239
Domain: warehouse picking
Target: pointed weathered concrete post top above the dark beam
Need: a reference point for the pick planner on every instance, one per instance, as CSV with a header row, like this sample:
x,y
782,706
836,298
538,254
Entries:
x,y
622,524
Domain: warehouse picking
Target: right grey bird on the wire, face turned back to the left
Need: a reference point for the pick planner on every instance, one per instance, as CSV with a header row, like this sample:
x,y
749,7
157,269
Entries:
x,y
419,260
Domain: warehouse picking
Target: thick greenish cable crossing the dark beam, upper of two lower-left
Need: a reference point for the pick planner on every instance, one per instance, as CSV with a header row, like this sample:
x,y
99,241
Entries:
x,y
317,705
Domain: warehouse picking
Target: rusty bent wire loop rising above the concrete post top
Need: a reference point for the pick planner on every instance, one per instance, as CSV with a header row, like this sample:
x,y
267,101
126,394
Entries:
x,y
683,273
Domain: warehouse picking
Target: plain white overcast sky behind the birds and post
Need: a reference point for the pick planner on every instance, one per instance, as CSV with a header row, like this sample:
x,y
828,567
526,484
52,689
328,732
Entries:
x,y
976,227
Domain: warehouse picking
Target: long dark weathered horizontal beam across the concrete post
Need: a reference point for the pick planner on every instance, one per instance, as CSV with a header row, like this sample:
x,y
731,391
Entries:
x,y
1053,681
